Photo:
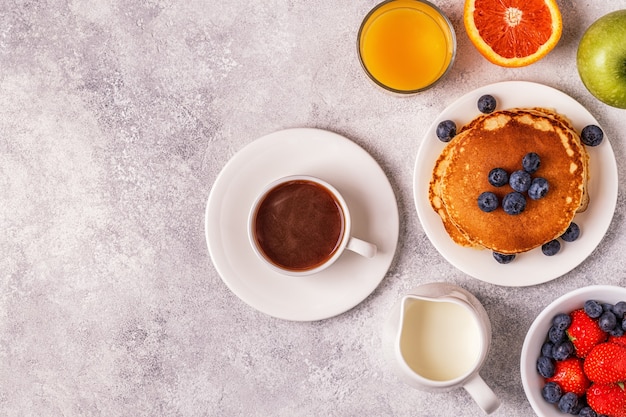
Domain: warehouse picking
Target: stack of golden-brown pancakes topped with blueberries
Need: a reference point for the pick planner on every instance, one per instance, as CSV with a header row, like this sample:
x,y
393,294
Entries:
x,y
500,140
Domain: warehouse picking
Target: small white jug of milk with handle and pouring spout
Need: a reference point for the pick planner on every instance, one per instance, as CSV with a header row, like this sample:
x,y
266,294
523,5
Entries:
x,y
437,338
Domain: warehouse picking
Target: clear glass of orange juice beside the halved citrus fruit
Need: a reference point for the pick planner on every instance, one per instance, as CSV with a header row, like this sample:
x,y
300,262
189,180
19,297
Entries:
x,y
406,46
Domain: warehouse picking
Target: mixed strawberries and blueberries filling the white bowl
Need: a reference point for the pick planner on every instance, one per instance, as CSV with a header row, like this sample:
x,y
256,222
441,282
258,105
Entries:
x,y
583,360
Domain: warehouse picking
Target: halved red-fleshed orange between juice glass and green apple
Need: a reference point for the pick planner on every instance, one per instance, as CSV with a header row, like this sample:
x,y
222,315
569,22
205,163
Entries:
x,y
513,33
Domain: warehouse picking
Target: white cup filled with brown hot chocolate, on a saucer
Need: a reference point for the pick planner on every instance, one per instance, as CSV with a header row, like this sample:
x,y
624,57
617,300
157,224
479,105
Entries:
x,y
300,225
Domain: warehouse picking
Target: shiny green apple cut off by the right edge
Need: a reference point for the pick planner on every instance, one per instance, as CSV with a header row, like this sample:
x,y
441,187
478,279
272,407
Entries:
x,y
601,59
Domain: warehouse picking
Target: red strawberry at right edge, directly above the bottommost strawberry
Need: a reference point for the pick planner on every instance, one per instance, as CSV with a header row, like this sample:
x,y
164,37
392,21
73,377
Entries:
x,y
606,363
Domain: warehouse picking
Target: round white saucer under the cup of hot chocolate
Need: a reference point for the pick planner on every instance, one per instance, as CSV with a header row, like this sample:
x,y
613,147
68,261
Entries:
x,y
334,159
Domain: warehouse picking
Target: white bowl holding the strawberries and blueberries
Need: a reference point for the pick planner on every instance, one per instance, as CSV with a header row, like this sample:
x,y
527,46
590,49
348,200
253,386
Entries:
x,y
532,381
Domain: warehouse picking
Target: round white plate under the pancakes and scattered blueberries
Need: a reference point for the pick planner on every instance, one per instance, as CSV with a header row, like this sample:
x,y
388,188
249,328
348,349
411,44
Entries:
x,y
532,267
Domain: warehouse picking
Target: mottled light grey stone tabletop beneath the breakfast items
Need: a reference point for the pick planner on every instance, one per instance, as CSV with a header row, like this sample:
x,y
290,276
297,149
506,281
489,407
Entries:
x,y
117,116
